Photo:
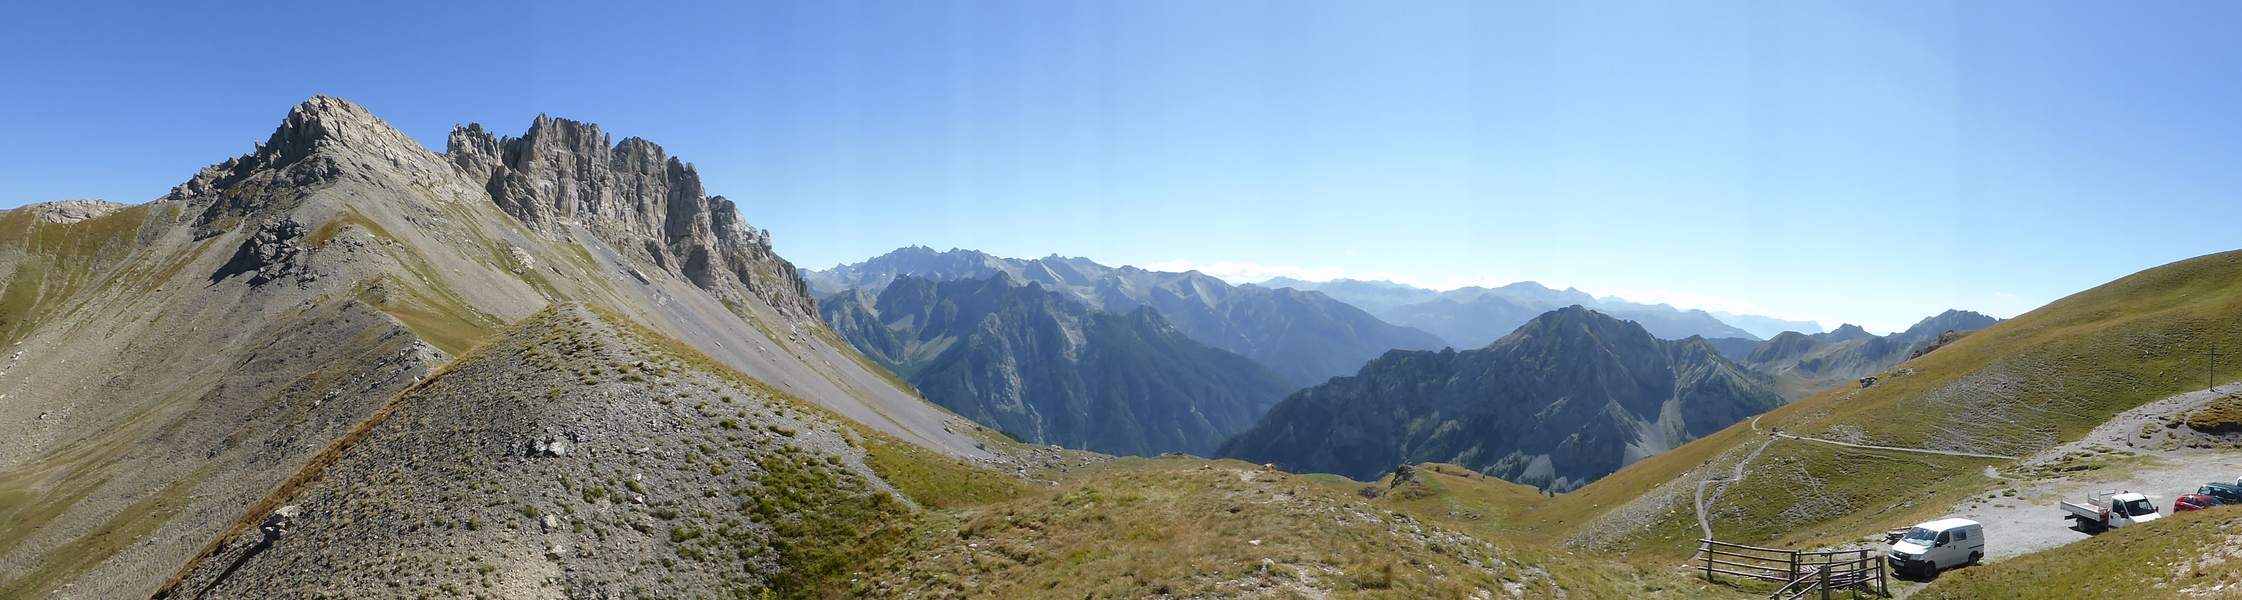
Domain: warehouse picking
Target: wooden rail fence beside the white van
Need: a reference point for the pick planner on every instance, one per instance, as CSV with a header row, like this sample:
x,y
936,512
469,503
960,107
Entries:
x,y
1797,572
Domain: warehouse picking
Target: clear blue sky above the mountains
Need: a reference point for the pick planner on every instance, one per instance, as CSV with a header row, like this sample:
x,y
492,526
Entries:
x,y
1846,162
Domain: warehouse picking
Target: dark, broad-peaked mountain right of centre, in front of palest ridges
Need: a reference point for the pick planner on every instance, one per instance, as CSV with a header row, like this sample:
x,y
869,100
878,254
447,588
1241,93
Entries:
x,y
1568,397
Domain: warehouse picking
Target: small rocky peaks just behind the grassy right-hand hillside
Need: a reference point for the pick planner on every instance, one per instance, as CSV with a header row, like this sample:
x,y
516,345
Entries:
x,y
1806,364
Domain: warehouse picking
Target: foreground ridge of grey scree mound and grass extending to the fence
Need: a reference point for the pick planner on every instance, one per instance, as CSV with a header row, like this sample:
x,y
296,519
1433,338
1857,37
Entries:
x,y
680,478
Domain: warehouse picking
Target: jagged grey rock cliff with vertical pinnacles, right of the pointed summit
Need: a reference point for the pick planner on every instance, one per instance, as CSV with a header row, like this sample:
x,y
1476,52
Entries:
x,y
633,196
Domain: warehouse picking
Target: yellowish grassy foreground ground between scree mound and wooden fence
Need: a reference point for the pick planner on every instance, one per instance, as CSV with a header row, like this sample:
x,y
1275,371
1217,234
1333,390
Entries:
x,y
1227,529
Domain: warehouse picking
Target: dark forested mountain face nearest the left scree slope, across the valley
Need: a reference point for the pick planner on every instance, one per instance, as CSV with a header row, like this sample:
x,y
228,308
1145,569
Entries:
x,y
1048,371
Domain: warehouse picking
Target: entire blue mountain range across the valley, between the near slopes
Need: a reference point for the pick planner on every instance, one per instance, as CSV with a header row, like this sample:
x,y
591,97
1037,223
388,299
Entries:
x,y
1539,386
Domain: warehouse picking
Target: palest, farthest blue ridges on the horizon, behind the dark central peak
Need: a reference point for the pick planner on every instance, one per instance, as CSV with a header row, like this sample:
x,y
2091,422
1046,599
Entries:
x,y
1474,317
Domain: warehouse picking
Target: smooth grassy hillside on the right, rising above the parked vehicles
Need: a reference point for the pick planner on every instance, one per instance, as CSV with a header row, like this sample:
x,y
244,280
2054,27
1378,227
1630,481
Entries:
x,y
2012,388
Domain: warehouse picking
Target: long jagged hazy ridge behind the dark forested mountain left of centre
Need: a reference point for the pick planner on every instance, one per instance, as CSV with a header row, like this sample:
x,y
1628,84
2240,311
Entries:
x,y
1301,335
